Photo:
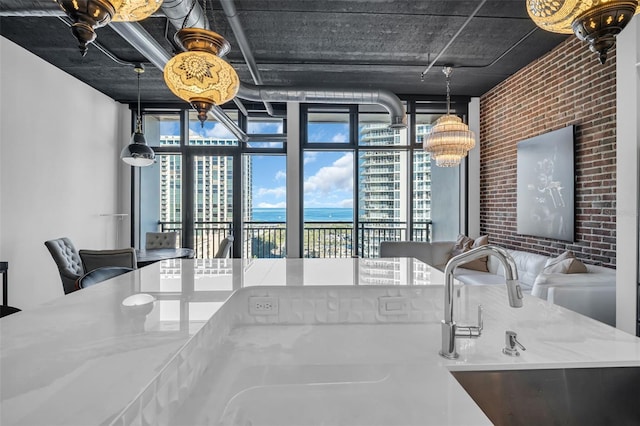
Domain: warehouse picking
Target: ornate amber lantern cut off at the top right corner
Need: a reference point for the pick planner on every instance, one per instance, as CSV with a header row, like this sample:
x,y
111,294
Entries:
x,y
595,21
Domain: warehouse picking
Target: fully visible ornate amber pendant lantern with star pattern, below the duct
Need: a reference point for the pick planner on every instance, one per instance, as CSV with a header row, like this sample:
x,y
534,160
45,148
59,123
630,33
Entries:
x,y
199,76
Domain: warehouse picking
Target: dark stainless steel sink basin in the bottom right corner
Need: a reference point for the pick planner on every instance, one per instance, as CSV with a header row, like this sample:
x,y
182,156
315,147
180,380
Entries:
x,y
567,396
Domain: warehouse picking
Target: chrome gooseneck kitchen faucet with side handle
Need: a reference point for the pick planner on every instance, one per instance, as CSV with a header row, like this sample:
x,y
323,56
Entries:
x,y
450,330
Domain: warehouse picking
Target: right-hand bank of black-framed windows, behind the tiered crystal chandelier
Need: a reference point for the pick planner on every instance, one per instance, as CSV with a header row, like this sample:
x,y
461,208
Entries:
x,y
353,160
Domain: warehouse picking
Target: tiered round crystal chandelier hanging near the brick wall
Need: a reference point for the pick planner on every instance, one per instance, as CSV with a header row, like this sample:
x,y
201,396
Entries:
x,y
449,140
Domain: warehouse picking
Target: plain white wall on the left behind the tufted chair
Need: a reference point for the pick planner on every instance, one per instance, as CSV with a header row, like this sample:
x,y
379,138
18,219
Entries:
x,y
59,170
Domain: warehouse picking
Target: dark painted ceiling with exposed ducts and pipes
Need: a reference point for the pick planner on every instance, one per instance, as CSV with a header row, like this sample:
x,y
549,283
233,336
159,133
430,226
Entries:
x,y
376,44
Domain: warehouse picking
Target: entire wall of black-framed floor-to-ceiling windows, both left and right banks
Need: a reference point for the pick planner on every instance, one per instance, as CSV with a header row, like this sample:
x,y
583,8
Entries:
x,y
362,183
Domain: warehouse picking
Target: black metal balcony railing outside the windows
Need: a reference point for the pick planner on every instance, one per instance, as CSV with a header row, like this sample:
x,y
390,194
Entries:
x,y
321,239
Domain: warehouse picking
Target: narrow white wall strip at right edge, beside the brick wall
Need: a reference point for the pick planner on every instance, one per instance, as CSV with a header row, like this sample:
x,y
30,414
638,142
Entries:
x,y
628,187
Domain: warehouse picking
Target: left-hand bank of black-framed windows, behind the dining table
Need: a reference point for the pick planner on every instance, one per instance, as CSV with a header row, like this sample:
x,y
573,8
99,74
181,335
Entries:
x,y
204,183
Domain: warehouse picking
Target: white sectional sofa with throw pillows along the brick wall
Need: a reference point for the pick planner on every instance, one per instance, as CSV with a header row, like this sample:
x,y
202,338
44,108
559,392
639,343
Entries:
x,y
592,293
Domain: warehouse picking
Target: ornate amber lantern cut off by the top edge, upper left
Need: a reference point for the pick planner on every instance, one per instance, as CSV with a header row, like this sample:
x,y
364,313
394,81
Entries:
x,y
87,15
